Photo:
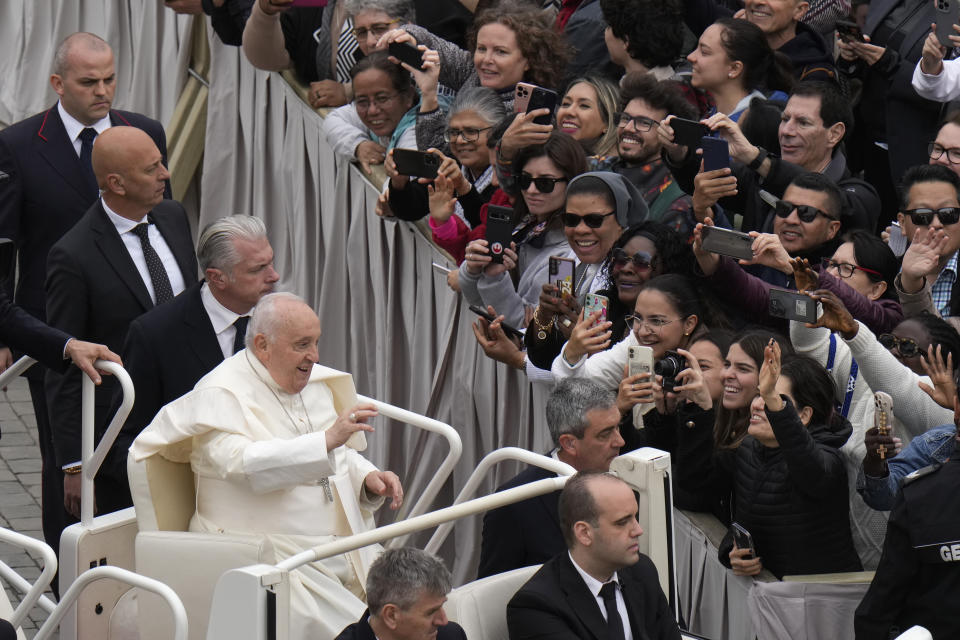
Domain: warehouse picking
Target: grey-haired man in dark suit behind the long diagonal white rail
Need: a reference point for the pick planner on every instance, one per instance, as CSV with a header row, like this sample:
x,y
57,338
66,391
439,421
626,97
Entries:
x,y
584,425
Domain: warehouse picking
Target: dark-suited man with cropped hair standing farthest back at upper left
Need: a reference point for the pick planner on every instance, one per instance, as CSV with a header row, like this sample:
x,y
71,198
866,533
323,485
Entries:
x,y
46,185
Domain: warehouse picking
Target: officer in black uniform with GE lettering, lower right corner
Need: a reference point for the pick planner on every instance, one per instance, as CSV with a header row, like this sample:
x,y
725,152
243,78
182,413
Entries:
x,y
918,578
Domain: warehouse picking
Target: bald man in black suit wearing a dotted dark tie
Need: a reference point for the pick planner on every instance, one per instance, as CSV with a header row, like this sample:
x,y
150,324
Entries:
x,y
132,250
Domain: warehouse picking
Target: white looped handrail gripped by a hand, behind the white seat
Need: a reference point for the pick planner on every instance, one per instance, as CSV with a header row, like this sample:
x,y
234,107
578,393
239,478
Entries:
x,y
92,459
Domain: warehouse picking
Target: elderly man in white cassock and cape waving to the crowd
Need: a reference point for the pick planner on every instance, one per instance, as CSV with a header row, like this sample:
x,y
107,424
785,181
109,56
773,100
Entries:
x,y
272,438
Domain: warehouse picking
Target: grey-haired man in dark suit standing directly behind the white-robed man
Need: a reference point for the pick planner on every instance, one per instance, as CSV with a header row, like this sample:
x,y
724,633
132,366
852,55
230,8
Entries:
x,y
169,348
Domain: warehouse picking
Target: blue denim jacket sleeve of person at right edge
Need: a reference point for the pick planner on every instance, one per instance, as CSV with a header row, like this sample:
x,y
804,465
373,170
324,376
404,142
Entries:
x,y
934,446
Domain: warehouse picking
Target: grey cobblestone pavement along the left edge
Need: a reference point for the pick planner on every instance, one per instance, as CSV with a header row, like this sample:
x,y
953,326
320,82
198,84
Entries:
x,y
20,487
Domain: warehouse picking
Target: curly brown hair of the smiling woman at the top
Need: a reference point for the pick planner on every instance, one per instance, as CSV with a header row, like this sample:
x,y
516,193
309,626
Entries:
x,y
546,52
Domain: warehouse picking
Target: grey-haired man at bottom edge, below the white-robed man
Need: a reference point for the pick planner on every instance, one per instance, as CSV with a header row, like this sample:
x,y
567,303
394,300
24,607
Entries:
x,y
406,589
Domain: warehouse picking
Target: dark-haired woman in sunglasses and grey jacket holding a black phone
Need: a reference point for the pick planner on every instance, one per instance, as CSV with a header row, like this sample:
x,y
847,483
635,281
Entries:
x,y
545,172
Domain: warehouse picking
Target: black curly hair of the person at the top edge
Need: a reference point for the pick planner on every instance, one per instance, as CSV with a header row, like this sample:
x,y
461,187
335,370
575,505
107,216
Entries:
x,y
652,29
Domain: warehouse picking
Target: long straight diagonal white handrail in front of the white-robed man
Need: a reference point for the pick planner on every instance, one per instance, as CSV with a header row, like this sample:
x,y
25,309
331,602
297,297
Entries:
x,y
425,521
